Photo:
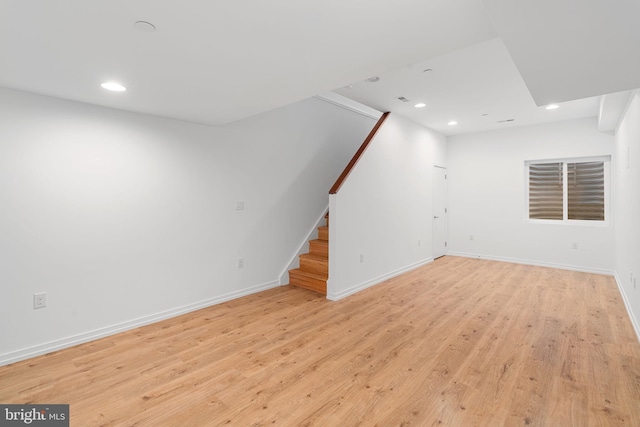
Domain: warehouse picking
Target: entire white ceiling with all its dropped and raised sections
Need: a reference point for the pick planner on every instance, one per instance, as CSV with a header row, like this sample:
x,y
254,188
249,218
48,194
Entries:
x,y
214,62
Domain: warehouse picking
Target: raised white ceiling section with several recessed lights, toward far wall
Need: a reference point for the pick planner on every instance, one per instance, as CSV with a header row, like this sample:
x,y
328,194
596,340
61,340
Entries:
x,y
479,87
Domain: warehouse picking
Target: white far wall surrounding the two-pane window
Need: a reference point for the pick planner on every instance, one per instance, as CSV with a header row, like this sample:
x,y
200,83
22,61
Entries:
x,y
487,197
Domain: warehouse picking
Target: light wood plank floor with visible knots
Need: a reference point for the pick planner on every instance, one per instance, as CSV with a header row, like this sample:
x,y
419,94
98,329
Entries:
x,y
459,342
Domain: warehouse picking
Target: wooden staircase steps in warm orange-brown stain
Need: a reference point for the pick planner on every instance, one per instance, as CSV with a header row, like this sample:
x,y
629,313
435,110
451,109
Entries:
x,y
314,266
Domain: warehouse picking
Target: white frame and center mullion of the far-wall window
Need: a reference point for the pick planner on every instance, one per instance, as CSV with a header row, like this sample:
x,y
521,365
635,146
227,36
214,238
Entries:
x,y
606,160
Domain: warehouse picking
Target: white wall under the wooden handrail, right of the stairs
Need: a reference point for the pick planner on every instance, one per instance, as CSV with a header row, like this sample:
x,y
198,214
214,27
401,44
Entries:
x,y
384,208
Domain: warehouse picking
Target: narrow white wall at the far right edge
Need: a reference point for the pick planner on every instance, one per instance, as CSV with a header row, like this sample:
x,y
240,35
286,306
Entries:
x,y
627,208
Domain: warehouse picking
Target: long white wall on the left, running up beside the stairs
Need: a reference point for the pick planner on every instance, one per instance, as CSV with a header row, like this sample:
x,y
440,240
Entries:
x,y
124,219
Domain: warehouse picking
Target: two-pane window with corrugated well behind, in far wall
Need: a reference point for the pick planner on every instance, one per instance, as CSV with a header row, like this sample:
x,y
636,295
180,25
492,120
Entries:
x,y
568,191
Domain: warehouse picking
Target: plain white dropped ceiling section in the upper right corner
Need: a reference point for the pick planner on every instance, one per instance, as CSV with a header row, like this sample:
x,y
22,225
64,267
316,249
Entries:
x,y
570,49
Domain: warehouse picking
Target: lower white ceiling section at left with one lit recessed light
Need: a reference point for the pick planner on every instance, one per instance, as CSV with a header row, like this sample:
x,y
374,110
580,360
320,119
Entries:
x,y
214,61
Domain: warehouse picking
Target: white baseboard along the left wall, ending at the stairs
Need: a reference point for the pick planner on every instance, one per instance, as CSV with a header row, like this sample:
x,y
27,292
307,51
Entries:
x,y
38,350
